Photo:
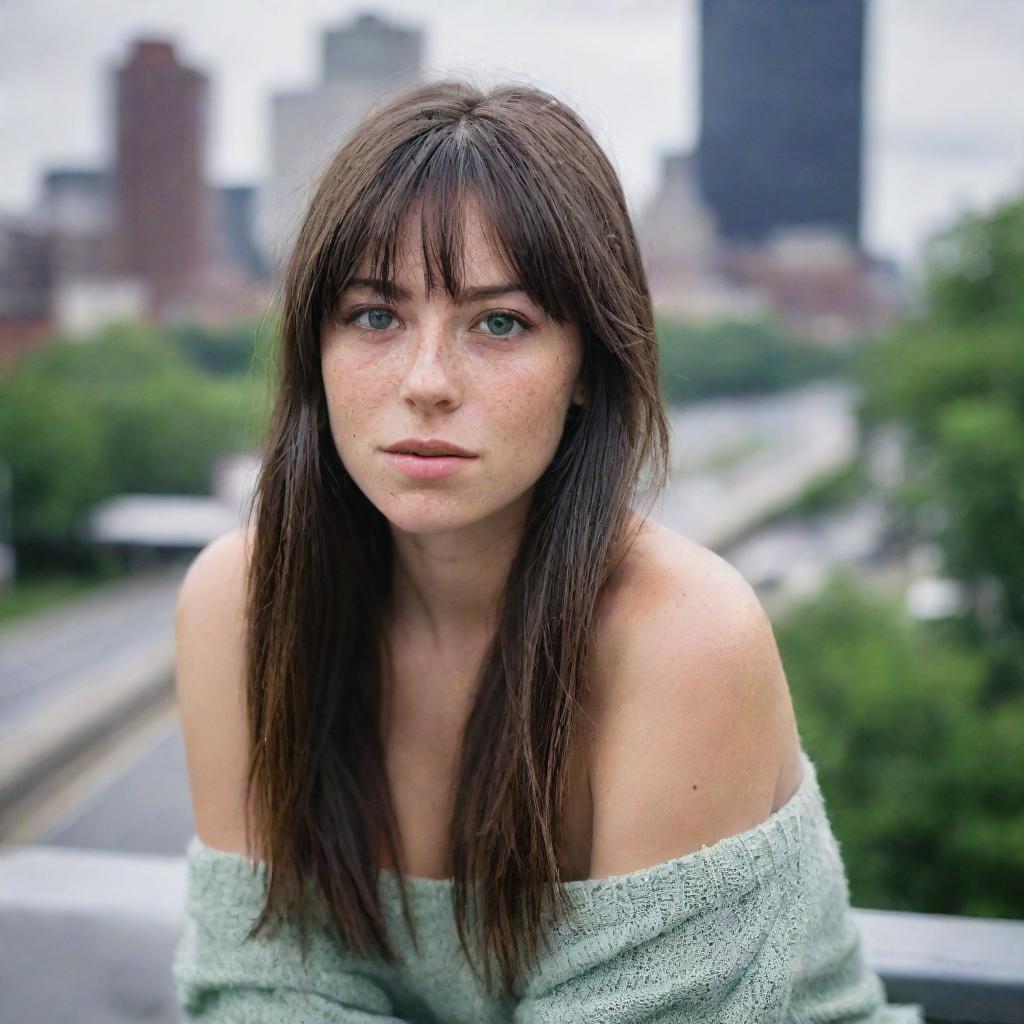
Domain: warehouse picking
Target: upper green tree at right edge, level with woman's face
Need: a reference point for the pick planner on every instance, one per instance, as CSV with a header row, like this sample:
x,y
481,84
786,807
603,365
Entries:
x,y
955,380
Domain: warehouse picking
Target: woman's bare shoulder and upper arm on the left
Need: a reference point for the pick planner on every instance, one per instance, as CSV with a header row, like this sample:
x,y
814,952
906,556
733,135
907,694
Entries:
x,y
209,673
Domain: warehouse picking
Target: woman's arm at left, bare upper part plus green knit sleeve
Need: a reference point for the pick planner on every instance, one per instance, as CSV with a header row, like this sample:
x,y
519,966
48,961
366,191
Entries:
x,y
222,977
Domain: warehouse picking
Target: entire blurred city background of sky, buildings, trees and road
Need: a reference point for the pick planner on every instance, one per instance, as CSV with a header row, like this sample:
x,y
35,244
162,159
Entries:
x,y
830,201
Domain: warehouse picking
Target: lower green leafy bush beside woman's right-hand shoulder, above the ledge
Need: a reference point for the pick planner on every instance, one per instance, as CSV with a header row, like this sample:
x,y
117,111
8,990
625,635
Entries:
x,y
922,776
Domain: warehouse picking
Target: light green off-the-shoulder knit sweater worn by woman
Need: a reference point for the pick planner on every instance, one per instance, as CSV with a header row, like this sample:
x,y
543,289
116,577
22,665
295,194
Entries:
x,y
754,928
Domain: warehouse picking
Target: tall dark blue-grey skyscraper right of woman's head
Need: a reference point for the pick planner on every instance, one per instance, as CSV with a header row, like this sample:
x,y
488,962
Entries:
x,y
782,115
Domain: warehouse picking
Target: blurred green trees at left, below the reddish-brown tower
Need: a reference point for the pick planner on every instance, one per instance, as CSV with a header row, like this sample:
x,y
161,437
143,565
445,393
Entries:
x,y
123,412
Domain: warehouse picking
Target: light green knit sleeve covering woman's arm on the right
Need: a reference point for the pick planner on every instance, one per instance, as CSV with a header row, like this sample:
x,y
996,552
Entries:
x,y
755,928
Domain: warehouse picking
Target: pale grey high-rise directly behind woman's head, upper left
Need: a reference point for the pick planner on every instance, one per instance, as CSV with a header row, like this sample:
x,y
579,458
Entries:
x,y
362,62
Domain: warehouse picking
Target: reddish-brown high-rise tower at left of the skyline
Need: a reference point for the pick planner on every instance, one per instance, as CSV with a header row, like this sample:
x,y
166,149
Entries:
x,y
160,194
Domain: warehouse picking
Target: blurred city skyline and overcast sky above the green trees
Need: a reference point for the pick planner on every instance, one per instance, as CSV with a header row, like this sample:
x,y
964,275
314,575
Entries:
x,y
921,140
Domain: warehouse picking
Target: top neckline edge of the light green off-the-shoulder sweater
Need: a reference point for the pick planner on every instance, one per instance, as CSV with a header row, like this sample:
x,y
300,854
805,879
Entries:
x,y
749,845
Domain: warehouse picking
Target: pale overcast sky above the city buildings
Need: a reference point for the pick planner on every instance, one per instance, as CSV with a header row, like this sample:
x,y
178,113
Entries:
x,y
945,97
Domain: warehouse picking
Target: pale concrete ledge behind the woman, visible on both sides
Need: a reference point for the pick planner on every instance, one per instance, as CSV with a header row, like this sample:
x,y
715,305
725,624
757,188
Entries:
x,y
90,936
